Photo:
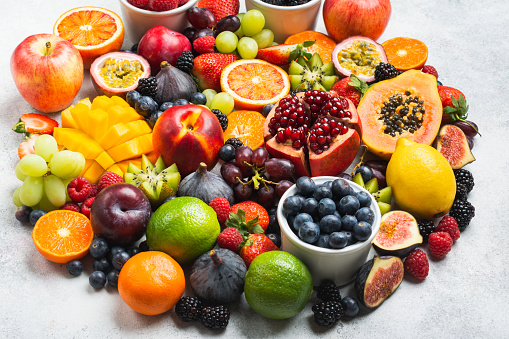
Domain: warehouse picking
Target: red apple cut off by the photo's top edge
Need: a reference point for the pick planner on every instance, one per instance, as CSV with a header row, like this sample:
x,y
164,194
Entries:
x,y
346,18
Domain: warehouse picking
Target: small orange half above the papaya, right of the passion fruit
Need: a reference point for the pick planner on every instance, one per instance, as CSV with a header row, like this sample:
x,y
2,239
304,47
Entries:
x,y
406,53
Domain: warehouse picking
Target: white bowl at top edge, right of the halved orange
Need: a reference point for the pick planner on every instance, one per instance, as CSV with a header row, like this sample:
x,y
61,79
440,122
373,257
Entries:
x,y
138,21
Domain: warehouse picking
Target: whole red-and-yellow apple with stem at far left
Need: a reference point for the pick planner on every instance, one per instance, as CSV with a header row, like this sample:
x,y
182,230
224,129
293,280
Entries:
x,y
48,71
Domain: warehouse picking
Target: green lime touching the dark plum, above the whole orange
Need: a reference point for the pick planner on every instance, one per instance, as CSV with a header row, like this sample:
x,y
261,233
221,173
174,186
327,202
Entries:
x,y
184,228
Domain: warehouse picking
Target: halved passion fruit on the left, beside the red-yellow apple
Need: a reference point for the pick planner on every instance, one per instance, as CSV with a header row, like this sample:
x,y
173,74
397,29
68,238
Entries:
x,y
117,73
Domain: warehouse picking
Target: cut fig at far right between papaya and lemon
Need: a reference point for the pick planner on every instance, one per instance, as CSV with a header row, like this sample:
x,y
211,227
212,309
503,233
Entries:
x,y
452,143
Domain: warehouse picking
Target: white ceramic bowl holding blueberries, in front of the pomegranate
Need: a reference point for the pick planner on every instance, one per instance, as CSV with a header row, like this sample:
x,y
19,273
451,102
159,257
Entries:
x,y
340,266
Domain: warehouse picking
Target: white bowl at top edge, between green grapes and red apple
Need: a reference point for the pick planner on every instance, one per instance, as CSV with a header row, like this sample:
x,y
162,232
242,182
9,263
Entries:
x,y
287,20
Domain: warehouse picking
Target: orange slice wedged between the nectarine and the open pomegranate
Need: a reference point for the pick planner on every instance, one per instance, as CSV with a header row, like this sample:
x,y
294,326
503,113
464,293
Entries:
x,y
247,126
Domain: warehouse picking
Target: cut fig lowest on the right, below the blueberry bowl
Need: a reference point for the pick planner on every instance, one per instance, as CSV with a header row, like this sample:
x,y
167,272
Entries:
x,y
378,279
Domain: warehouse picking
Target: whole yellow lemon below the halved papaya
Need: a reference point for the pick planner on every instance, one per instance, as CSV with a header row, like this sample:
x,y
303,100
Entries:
x,y
422,180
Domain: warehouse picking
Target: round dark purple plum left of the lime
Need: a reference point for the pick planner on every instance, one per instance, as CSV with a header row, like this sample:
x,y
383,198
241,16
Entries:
x,y
120,214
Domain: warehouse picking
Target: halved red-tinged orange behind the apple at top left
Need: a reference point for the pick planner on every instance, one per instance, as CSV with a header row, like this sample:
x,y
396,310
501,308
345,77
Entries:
x,y
94,31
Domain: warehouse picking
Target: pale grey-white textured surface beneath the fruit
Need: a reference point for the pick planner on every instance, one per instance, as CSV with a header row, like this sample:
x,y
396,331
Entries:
x,y
464,296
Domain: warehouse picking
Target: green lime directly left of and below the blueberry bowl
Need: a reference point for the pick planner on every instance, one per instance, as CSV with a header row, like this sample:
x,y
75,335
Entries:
x,y
277,285
